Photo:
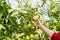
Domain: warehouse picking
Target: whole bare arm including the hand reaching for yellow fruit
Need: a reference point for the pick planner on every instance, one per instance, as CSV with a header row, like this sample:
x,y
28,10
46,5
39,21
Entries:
x,y
46,30
